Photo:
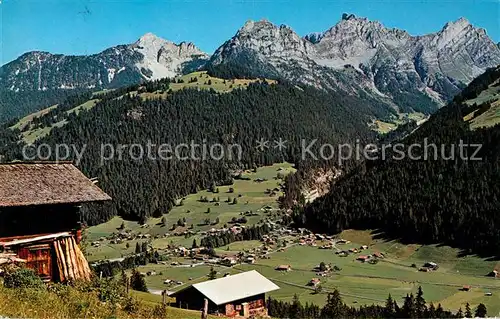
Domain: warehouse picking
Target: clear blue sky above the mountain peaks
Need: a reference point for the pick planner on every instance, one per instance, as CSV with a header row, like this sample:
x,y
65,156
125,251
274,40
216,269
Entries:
x,y
86,27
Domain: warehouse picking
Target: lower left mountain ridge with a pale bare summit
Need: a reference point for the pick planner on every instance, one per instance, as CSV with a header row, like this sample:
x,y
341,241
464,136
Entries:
x,y
149,58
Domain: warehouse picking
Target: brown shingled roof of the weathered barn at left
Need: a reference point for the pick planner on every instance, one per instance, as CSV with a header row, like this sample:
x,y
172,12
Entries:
x,y
23,184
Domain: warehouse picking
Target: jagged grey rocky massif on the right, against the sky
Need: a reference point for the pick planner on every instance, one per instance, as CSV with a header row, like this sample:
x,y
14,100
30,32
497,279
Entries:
x,y
360,54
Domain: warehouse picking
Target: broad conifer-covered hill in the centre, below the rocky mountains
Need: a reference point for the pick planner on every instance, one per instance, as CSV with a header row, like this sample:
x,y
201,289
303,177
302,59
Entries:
x,y
147,187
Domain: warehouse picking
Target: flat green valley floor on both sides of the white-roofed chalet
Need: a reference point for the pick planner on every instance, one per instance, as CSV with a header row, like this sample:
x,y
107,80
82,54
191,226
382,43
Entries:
x,y
359,283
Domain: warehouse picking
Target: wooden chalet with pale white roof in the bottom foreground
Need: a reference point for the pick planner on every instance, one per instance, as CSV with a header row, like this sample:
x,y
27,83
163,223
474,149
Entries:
x,y
236,295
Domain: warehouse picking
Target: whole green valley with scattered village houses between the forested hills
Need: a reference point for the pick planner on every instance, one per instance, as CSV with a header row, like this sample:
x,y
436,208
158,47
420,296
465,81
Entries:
x,y
301,263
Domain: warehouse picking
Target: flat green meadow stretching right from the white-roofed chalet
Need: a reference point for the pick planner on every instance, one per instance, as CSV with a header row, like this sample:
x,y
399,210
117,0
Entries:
x,y
395,275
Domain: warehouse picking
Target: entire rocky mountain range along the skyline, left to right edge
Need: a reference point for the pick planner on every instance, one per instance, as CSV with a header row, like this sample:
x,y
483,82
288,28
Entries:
x,y
355,57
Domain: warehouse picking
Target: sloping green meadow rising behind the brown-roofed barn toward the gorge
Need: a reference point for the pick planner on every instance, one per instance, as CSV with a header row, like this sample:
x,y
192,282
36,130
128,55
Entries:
x,y
252,198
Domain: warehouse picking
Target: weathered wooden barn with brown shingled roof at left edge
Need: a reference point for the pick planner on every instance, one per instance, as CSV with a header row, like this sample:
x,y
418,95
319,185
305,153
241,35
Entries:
x,y
40,218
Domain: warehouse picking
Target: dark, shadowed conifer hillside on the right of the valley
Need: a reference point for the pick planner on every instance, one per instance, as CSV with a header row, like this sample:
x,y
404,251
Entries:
x,y
445,200
